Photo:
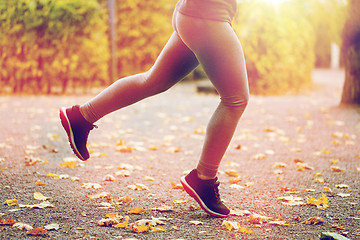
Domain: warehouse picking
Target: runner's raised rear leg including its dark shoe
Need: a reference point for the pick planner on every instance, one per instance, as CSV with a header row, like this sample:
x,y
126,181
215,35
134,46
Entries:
x,y
174,62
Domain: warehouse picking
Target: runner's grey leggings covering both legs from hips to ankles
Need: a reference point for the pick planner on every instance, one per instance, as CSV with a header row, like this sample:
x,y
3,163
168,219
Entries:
x,y
216,47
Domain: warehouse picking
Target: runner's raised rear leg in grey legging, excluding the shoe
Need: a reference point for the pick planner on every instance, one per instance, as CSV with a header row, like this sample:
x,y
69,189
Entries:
x,y
174,62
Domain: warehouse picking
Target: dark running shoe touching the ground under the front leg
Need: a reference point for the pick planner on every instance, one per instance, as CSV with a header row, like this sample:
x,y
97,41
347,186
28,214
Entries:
x,y
206,193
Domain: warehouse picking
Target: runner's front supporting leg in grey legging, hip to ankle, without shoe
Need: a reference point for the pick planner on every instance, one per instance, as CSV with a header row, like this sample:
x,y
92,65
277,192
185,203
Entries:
x,y
218,50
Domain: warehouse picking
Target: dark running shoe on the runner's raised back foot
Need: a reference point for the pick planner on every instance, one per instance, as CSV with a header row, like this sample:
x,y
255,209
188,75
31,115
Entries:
x,y
77,129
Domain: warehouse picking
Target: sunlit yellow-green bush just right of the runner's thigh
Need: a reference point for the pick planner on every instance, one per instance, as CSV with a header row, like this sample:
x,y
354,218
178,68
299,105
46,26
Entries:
x,y
278,43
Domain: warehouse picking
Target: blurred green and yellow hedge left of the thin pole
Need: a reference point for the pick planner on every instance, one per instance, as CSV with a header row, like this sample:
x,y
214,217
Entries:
x,y
46,44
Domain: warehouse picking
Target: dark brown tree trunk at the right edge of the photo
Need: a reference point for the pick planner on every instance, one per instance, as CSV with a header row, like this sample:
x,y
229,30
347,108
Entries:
x,y
351,53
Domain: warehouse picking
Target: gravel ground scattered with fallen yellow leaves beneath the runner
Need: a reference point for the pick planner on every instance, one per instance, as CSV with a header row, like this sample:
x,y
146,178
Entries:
x,y
159,139
